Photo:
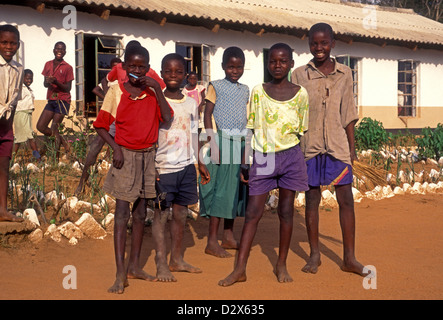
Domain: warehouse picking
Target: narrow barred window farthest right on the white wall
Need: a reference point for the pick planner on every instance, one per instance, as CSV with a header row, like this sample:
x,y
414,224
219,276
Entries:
x,y
407,88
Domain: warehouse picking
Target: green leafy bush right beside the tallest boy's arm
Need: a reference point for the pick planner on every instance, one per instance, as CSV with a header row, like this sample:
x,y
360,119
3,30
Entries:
x,y
370,134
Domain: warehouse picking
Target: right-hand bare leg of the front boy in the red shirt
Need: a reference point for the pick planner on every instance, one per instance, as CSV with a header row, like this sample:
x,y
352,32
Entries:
x,y
138,226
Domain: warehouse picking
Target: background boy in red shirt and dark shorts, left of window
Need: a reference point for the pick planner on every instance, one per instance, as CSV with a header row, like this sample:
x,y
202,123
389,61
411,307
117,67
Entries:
x,y
58,79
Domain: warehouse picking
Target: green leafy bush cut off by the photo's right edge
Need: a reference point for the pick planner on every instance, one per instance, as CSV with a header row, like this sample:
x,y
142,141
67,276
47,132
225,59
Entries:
x,y
430,144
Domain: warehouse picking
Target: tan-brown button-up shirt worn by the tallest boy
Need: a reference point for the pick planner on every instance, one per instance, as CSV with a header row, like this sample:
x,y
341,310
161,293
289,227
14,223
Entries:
x,y
331,109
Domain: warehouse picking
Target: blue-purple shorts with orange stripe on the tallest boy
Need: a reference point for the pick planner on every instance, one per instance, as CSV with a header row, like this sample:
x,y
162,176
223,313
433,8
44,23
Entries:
x,y
325,170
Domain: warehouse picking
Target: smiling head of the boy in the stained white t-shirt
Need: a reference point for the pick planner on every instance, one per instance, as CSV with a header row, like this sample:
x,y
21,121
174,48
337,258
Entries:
x,y
173,70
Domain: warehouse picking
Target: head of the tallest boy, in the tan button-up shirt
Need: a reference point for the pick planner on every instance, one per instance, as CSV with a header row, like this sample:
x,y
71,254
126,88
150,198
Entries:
x,y
321,41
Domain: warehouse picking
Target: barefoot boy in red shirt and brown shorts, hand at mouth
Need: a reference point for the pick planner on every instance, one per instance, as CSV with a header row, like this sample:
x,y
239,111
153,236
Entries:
x,y
137,106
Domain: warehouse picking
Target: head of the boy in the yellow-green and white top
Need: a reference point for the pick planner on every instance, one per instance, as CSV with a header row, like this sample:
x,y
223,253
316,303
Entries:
x,y
280,61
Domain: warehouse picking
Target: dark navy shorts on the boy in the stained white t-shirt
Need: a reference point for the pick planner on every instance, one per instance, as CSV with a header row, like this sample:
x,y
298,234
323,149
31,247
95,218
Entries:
x,y
180,187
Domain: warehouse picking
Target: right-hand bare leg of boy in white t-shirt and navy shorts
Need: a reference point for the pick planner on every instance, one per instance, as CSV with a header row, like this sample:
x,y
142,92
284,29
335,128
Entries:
x,y
176,263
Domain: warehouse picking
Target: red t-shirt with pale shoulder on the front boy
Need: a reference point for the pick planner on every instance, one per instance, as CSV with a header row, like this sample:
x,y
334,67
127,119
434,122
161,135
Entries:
x,y
136,120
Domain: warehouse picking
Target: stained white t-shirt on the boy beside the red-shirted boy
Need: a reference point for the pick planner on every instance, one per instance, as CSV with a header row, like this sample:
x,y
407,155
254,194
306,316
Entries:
x,y
175,150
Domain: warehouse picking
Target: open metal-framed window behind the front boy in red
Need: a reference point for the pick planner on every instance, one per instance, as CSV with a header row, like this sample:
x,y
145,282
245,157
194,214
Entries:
x,y
93,54
